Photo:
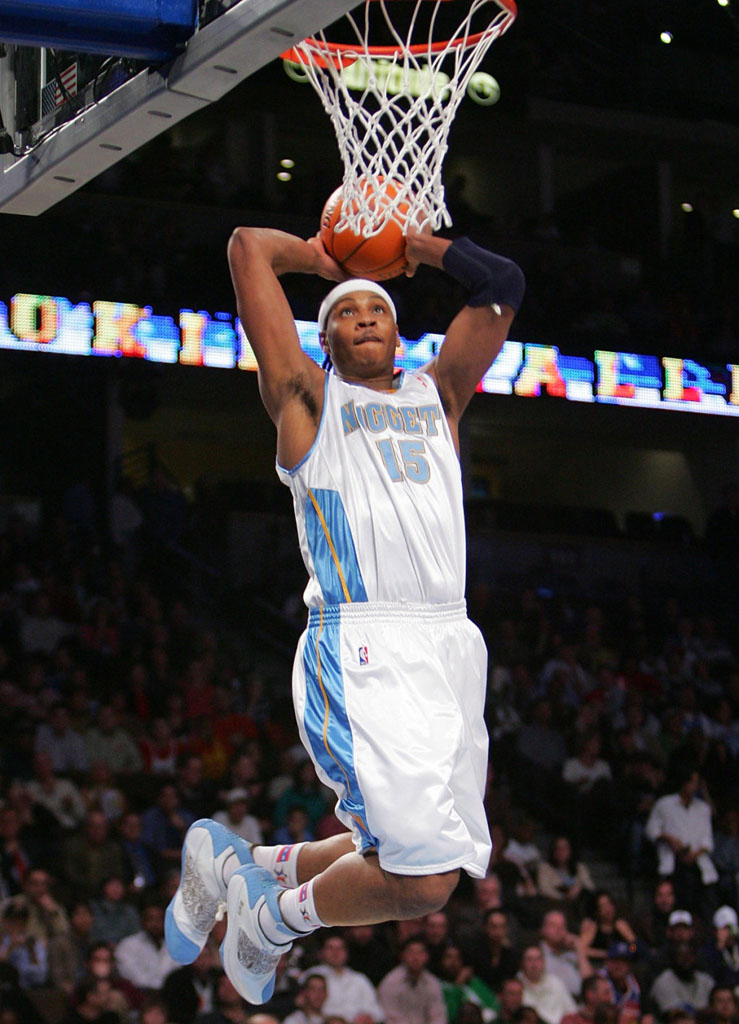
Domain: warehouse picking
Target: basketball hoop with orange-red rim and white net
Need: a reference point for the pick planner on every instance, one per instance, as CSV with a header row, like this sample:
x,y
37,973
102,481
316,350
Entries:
x,y
393,105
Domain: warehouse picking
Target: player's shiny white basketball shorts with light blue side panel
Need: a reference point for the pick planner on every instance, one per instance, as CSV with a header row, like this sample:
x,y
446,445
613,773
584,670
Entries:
x,y
389,701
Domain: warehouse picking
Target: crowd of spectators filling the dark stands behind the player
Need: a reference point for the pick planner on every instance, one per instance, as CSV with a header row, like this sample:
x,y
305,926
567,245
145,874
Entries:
x,y
126,715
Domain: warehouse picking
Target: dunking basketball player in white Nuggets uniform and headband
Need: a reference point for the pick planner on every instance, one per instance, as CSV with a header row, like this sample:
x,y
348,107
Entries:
x,y
389,677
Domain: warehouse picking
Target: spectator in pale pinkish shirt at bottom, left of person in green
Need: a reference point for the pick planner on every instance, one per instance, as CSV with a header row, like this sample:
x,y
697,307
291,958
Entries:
x,y
411,995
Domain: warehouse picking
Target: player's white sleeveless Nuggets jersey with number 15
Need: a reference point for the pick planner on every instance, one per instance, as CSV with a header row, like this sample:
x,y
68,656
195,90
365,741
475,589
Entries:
x,y
378,498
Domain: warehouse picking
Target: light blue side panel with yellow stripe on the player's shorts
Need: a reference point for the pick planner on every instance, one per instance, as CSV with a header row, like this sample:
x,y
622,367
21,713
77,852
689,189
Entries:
x,y
327,723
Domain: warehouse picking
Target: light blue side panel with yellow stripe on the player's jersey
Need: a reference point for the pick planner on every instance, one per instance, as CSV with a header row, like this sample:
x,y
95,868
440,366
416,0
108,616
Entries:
x,y
332,548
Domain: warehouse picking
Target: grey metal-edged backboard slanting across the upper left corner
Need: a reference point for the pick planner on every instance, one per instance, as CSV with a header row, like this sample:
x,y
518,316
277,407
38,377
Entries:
x,y
63,155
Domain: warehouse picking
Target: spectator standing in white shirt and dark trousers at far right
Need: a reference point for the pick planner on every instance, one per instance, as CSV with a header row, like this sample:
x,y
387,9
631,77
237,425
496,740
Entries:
x,y
680,826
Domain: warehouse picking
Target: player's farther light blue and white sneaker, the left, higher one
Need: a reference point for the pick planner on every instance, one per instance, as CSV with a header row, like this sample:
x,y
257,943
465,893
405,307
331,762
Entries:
x,y
201,898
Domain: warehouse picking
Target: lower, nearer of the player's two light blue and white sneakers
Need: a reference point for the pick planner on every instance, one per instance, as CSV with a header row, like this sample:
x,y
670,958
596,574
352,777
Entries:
x,y
250,959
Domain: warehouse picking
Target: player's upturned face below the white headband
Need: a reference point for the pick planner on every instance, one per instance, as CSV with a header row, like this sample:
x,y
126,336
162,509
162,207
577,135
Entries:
x,y
362,335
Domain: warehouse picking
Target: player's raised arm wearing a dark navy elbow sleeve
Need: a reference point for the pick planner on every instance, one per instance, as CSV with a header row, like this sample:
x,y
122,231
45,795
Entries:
x,y
477,333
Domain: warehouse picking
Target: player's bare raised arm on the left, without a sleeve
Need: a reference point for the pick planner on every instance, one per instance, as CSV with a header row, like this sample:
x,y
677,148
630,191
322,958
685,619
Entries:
x,y
257,257
